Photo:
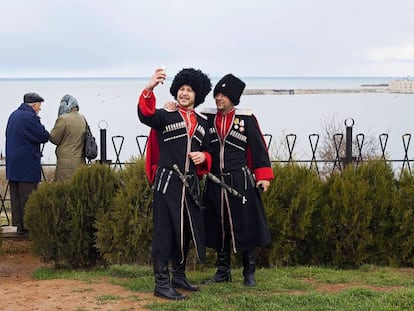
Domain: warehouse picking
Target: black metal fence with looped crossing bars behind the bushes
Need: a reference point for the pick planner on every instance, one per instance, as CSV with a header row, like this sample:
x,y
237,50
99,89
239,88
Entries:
x,y
337,163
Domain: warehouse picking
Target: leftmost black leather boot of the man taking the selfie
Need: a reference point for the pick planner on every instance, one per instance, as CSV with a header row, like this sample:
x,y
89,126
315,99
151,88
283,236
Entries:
x,y
163,288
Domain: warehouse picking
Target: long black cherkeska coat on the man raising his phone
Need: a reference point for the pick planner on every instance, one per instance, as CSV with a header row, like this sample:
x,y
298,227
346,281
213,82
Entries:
x,y
176,216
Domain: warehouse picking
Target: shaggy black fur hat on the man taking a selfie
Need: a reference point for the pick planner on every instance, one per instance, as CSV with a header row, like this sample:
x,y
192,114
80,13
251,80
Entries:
x,y
199,82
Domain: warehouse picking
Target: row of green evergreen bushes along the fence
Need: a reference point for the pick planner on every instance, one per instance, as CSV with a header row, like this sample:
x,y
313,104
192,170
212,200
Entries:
x,y
359,216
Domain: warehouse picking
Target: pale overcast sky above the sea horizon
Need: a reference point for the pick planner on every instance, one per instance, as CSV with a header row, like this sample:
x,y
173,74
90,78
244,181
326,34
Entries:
x,y
129,38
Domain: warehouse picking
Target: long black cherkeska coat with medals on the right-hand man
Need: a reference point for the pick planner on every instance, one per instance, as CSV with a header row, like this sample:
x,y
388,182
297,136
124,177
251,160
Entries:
x,y
235,158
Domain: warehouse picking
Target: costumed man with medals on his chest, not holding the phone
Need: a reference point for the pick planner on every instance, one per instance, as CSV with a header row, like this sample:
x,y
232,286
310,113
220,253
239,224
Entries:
x,y
240,160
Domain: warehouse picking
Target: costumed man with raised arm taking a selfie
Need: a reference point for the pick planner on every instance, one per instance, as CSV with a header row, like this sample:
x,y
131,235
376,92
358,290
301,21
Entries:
x,y
177,153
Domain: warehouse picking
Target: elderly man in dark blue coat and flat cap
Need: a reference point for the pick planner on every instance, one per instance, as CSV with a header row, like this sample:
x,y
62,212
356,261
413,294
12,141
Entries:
x,y
24,135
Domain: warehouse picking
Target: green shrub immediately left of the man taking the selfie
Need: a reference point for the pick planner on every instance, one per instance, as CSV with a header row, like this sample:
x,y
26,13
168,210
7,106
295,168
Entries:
x,y
124,230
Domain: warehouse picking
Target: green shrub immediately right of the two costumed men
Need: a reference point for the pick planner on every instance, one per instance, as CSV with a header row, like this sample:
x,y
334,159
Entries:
x,y
290,203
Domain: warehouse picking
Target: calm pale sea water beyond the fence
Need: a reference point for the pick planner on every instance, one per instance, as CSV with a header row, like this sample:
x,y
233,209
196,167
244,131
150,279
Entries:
x,y
110,104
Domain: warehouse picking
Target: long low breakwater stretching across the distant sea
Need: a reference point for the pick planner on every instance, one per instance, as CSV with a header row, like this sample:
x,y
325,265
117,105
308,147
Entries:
x,y
380,89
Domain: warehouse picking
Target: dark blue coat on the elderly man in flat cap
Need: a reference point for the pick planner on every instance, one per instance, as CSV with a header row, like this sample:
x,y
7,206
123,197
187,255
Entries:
x,y
24,134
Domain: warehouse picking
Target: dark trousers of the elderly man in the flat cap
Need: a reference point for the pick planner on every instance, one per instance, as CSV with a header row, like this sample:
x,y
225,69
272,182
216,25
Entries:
x,y
19,193
